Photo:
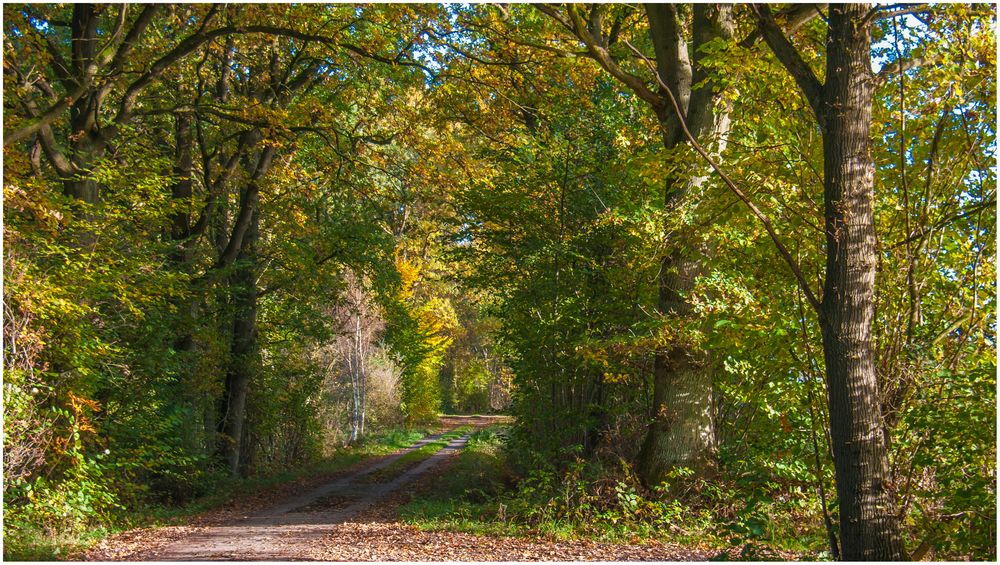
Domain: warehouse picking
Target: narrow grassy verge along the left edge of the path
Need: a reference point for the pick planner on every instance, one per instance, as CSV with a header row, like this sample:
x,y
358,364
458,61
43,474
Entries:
x,y
30,543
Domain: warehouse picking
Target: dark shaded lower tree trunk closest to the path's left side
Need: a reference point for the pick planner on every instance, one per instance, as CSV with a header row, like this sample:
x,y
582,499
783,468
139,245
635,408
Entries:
x,y
244,349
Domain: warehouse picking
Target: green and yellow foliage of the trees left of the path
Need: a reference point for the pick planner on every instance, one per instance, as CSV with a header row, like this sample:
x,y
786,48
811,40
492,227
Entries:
x,y
119,322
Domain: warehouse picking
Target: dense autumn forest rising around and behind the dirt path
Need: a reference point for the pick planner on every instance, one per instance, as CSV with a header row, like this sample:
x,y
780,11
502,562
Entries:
x,y
702,253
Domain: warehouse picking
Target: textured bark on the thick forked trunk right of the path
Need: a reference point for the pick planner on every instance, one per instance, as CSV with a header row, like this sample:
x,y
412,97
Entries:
x,y
682,432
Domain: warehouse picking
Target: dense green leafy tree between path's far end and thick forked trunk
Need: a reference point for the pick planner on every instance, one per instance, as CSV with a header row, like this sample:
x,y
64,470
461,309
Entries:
x,y
559,238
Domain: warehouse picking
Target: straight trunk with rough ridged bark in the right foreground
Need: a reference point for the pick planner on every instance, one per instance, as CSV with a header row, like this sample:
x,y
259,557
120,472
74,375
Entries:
x,y
868,523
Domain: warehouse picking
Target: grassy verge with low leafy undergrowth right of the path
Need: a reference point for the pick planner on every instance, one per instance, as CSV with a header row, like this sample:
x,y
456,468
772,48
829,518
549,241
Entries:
x,y
479,495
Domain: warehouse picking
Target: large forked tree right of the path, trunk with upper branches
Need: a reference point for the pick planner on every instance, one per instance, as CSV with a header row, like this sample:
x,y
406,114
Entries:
x,y
683,92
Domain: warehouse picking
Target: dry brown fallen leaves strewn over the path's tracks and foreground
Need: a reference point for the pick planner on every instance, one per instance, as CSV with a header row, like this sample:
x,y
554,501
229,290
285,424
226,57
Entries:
x,y
374,535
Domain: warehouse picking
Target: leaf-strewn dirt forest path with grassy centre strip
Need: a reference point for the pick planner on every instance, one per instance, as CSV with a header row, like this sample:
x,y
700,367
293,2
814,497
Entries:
x,y
352,517
